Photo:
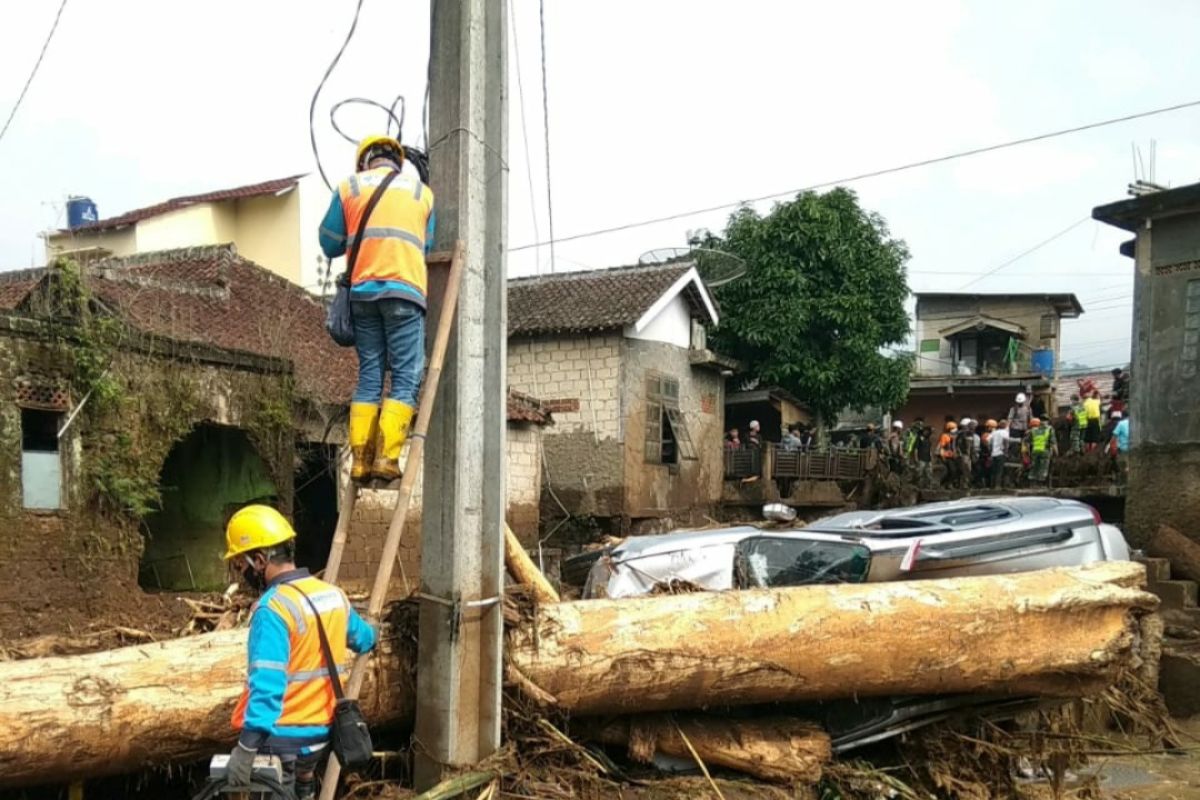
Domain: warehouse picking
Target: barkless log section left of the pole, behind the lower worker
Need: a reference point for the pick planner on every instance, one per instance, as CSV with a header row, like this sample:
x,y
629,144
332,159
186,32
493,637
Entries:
x,y
122,711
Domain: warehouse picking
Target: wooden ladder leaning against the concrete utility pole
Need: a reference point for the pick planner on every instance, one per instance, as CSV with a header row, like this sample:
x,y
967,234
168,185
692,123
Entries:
x,y
447,311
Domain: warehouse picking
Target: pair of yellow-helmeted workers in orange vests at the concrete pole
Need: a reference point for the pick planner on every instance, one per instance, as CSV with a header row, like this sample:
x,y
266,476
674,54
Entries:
x,y
287,707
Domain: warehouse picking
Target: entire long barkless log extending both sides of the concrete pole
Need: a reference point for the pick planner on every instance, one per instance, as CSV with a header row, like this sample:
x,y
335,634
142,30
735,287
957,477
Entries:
x,y
1063,633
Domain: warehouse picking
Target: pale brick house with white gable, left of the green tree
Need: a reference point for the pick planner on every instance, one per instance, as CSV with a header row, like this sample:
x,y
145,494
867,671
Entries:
x,y
620,358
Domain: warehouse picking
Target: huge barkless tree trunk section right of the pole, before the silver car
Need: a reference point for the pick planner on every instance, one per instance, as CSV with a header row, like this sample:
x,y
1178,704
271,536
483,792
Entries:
x,y
1055,633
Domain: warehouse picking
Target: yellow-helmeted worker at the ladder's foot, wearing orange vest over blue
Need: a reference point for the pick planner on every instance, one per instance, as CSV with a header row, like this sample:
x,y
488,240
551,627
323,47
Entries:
x,y
289,703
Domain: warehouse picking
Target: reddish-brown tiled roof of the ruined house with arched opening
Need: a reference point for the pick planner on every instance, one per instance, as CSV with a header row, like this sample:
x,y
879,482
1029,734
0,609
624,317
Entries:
x,y
211,296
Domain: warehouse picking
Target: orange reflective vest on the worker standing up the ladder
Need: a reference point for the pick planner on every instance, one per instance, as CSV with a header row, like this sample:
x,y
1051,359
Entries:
x,y
393,249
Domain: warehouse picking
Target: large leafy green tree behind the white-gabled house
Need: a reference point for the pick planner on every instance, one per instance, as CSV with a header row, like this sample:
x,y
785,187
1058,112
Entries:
x,y
823,296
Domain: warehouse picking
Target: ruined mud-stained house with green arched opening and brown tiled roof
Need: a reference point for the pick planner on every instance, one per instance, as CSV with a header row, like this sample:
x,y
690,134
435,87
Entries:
x,y
151,396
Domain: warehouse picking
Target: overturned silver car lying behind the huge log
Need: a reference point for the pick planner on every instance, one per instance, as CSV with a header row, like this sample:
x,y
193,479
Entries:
x,y
938,540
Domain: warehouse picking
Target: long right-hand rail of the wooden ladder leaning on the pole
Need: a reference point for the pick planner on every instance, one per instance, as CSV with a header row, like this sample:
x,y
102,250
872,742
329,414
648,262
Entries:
x,y
407,482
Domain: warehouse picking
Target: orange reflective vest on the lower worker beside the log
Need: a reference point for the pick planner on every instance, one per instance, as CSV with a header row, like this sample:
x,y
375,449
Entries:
x,y
309,700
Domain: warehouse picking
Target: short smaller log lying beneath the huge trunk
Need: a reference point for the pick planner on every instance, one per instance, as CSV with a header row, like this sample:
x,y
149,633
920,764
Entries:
x,y
773,749
